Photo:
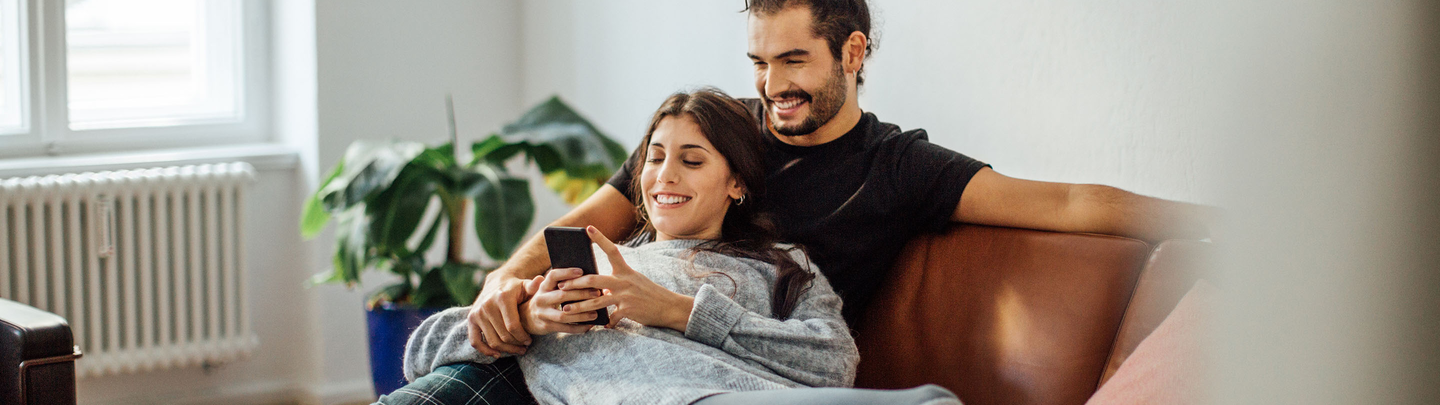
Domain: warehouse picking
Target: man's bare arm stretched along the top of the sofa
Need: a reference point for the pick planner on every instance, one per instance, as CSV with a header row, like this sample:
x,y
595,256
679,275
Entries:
x,y
1000,201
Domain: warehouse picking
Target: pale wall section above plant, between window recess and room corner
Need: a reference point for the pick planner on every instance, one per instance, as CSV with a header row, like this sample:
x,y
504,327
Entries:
x,y
387,67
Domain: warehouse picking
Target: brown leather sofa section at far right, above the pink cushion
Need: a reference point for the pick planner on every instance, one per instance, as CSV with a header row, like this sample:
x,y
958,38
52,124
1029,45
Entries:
x,y
1170,273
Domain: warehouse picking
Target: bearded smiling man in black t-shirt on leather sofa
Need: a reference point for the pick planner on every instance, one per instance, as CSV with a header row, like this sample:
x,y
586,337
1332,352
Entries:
x,y
843,184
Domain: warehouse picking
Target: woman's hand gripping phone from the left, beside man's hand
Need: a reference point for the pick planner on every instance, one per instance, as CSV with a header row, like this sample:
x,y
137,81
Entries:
x,y
542,313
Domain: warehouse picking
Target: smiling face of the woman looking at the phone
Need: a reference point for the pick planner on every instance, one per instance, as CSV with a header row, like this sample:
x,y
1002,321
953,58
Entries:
x,y
686,182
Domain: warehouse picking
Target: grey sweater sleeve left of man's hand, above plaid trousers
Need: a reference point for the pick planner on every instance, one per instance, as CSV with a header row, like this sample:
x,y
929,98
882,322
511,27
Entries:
x,y
441,339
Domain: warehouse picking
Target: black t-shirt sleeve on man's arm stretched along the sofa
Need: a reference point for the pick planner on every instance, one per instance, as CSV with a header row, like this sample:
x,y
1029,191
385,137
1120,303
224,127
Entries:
x,y
932,179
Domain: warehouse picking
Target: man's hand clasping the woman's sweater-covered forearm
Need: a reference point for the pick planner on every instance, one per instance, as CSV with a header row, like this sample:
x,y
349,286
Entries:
x,y
495,319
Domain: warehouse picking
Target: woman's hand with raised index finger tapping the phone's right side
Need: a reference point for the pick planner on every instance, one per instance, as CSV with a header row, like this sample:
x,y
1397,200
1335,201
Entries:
x,y
634,296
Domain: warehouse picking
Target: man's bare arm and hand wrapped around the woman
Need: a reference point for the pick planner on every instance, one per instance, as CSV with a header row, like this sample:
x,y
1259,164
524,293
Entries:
x,y
496,312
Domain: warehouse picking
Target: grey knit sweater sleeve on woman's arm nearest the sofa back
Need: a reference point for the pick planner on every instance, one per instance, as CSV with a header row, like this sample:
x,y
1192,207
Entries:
x,y
813,347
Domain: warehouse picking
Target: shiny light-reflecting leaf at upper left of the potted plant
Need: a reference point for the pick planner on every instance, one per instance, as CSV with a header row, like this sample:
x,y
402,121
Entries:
x,y
368,168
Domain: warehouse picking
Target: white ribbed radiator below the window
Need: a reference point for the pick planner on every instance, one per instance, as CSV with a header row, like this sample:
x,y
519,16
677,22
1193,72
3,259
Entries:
x,y
148,266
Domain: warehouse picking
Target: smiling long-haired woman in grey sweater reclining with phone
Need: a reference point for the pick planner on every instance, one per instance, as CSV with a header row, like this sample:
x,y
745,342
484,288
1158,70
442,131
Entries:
x,y
705,302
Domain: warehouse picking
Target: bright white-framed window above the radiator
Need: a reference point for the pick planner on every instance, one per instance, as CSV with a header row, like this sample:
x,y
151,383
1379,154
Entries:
x,y
102,76
